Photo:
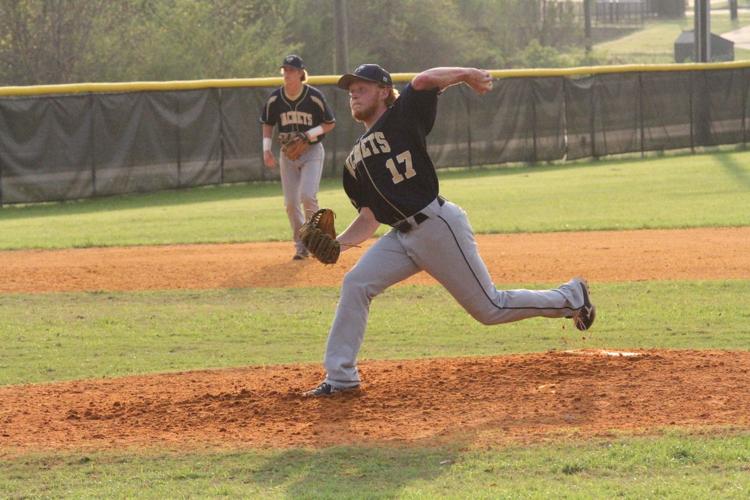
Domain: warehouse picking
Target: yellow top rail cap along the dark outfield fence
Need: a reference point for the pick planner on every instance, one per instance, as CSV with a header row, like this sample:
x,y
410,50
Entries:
x,y
85,88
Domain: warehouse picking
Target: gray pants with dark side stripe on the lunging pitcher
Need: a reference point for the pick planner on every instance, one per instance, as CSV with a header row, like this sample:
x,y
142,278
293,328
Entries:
x,y
444,246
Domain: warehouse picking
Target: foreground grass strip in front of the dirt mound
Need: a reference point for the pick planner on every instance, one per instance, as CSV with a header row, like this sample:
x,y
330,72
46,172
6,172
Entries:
x,y
669,466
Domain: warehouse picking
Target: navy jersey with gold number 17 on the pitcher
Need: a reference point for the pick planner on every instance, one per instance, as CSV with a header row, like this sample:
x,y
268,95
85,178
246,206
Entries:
x,y
389,170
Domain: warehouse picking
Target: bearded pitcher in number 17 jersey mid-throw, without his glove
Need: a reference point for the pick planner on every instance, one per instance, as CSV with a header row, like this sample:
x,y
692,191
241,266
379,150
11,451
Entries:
x,y
390,179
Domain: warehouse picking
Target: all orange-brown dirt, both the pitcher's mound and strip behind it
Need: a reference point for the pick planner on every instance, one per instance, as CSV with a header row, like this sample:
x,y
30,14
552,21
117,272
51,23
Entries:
x,y
485,400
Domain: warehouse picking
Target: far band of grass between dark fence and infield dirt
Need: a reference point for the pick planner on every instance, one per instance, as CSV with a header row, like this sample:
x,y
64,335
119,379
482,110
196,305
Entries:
x,y
676,191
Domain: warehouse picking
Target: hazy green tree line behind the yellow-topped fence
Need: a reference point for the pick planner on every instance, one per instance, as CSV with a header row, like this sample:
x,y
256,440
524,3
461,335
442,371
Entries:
x,y
66,41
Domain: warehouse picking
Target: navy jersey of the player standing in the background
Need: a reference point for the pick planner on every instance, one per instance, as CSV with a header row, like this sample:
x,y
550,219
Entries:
x,y
309,110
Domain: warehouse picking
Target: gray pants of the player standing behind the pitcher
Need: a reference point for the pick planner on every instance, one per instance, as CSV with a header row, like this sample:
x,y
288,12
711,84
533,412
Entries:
x,y
300,181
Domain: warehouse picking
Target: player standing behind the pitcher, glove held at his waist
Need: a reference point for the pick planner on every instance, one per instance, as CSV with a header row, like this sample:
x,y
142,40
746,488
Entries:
x,y
297,109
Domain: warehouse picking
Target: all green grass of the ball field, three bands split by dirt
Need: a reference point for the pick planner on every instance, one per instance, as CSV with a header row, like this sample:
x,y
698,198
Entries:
x,y
61,336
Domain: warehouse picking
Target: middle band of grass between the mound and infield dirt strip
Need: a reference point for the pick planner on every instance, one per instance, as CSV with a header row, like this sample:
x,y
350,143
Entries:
x,y
48,337
